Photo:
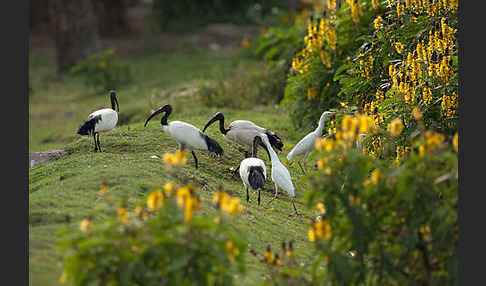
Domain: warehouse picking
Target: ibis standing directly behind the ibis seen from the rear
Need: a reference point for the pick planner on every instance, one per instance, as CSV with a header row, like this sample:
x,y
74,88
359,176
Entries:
x,y
243,132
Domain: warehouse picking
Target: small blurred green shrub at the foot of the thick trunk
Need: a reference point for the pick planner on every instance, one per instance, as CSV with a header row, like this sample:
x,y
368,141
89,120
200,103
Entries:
x,y
102,72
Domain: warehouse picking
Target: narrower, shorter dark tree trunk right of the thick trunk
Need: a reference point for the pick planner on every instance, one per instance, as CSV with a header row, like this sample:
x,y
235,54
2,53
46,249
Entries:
x,y
112,17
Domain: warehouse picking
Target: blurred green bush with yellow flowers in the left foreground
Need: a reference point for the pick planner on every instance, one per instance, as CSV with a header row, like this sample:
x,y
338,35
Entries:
x,y
153,245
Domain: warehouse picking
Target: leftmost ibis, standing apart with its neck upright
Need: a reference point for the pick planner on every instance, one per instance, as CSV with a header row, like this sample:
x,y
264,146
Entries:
x,y
102,120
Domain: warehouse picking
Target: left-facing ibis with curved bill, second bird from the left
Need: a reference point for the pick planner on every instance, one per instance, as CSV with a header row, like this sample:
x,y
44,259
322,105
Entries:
x,y
187,135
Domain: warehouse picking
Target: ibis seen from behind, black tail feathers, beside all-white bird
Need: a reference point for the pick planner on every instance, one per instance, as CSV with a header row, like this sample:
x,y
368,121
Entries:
x,y
253,172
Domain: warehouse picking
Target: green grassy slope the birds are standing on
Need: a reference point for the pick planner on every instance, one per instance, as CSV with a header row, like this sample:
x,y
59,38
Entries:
x,y
69,186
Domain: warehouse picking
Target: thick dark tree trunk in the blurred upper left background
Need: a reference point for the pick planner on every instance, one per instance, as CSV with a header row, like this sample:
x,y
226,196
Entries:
x,y
74,26
